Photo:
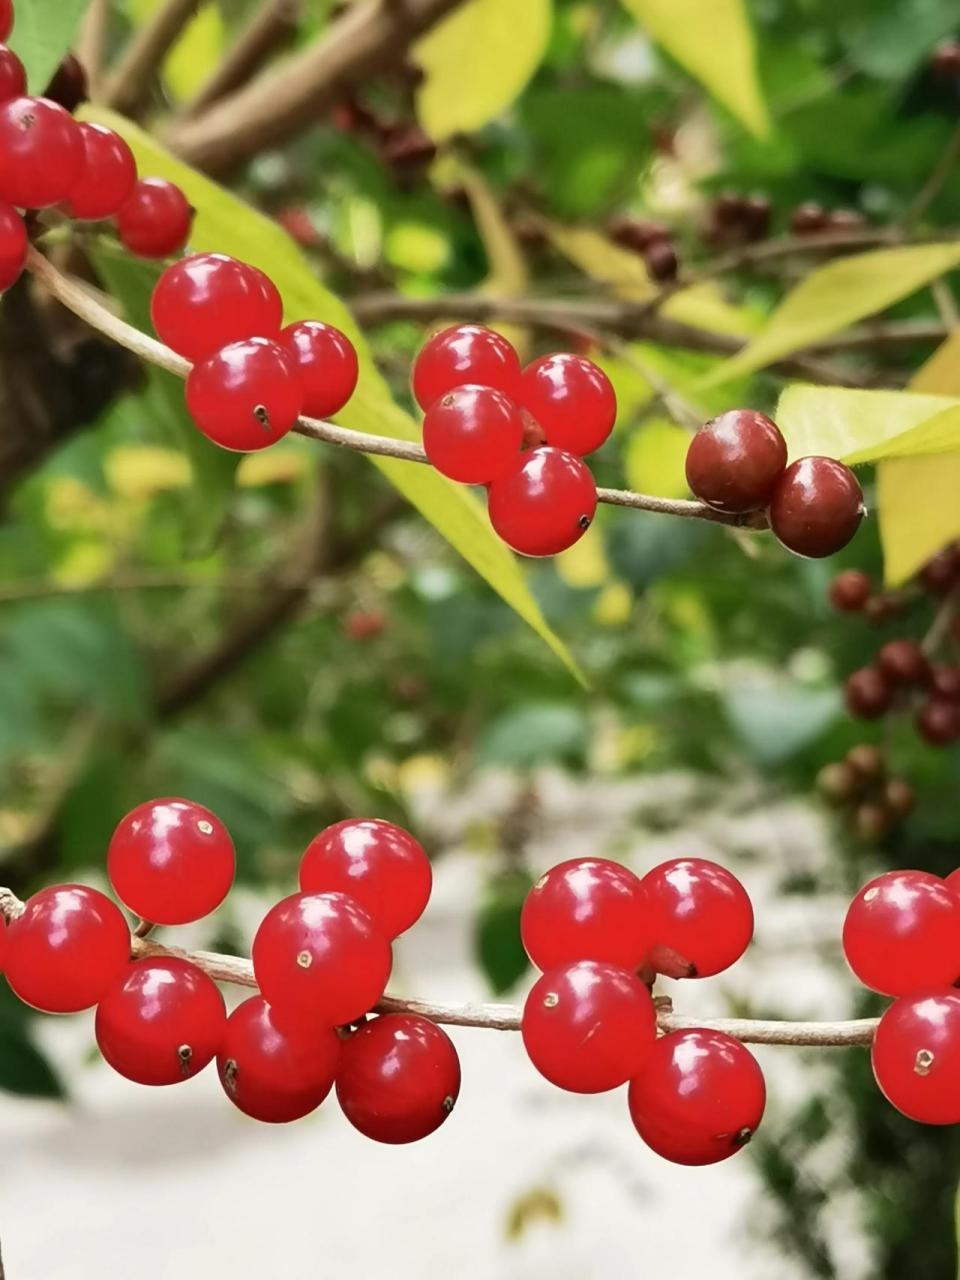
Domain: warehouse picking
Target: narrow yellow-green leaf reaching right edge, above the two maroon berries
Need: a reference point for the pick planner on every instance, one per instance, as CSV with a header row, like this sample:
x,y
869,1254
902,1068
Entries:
x,y
836,296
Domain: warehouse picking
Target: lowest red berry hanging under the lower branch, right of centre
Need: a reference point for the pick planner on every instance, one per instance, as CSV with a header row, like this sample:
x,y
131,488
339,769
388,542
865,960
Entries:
x,y
700,1099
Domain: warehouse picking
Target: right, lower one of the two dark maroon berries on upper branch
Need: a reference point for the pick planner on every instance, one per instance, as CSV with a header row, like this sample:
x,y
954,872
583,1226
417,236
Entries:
x,y
817,508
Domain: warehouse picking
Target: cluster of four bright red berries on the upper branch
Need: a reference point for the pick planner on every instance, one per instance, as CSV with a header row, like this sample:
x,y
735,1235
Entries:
x,y
522,433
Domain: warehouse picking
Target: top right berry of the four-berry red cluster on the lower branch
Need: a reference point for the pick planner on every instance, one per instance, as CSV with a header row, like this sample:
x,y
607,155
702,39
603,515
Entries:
x,y
700,912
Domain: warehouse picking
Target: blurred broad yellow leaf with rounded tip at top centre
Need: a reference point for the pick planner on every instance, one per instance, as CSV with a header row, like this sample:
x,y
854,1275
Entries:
x,y
478,61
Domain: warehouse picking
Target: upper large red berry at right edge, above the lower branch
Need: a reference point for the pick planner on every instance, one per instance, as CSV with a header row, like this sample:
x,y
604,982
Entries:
x,y
902,934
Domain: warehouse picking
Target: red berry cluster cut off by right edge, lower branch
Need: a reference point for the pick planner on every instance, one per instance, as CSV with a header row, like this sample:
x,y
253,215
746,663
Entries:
x,y
902,938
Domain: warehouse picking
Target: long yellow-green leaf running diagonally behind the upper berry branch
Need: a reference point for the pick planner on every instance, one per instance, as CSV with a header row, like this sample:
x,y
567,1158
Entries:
x,y
228,225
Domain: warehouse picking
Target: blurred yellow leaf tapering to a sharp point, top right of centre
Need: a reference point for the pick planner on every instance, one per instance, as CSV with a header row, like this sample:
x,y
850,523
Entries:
x,y
715,42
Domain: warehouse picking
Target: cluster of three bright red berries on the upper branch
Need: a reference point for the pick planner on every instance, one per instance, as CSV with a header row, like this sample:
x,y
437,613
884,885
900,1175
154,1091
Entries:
x,y
252,378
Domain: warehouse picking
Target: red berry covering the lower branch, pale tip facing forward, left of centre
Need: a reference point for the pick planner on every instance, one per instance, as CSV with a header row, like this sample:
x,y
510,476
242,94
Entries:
x,y
321,959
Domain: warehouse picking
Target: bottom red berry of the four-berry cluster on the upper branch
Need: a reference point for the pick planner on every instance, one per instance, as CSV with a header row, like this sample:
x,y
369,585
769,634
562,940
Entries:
x,y
546,505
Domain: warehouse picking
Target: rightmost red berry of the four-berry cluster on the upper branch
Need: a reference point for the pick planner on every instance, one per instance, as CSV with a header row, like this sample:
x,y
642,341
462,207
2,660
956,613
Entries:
x,y
573,401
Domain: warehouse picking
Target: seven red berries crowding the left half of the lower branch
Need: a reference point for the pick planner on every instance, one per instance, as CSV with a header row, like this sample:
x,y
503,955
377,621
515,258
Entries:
x,y
322,959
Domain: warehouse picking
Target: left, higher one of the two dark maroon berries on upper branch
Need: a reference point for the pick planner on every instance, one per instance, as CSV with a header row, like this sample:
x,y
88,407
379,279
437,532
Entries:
x,y
735,461
